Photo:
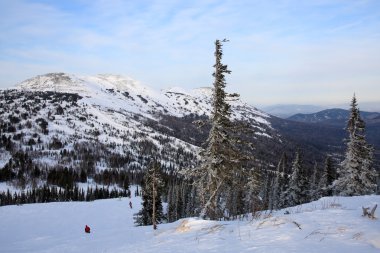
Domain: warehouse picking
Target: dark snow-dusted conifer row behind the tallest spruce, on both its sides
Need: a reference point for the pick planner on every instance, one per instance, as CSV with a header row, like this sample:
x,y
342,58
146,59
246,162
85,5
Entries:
x,y
291,183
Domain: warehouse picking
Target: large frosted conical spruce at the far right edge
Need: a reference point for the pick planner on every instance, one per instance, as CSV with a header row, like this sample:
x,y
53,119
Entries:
x,y
356,173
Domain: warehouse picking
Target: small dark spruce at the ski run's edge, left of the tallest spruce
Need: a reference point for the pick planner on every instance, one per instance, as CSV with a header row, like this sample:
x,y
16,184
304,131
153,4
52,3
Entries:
x,y
151,212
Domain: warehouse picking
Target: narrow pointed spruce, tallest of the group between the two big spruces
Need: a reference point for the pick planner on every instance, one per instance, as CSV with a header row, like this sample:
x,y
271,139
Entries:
x,y
297,191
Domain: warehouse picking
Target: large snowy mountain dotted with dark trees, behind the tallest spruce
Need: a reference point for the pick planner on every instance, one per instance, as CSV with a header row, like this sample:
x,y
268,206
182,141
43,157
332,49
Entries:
x,y
93,123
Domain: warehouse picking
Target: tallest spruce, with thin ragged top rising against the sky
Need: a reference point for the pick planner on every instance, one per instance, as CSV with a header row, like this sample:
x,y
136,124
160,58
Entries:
x,y
221,163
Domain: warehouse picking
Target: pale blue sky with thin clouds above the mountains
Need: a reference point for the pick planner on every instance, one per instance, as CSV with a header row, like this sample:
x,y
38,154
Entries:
x,y
283,51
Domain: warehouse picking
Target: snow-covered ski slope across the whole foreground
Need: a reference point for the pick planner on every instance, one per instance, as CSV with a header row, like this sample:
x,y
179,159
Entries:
x,y
331,224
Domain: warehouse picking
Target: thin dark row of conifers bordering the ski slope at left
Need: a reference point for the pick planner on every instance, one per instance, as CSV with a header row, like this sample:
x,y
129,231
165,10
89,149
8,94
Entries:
x,y
56,194
